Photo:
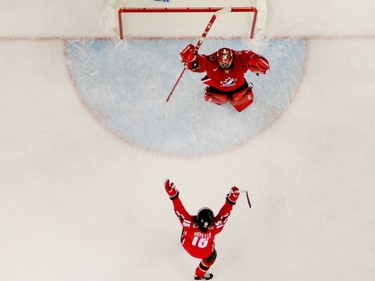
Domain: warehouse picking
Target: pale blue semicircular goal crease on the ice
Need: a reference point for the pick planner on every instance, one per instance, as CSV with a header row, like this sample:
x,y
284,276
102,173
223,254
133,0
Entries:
x,y
125,84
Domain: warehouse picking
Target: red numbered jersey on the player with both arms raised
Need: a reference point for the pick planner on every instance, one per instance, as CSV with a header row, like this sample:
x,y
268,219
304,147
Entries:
x,y
197,243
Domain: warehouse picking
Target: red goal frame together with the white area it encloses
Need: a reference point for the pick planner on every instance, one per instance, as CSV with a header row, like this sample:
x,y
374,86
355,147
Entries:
x,y
161,21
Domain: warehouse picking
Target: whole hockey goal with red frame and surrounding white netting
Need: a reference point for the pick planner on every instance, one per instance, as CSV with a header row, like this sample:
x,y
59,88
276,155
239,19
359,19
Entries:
x,y
176,20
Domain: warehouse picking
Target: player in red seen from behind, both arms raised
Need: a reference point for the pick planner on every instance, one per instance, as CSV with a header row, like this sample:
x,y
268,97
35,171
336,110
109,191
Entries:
x,y
199,231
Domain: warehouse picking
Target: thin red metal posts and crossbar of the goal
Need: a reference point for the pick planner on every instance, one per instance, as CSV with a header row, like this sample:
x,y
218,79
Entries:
x,y
125,10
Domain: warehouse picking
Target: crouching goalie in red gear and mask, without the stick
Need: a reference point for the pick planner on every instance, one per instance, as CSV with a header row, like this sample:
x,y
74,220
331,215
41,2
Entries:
x,y
225,74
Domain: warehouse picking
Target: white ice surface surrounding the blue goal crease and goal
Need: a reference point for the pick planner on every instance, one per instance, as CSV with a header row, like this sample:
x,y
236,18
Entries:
x,y
77,202
